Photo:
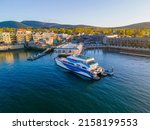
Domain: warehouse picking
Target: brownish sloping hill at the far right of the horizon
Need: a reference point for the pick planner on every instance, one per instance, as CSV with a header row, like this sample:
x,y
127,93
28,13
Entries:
x,y
137,25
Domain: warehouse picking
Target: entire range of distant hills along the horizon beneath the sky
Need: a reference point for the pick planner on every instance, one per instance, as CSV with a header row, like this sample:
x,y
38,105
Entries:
x,y
38,24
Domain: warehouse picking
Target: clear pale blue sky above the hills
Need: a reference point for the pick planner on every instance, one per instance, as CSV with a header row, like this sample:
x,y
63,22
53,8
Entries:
x,y
102,13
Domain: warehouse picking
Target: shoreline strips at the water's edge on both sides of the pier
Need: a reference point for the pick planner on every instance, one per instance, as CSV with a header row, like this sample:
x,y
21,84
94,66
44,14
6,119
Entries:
x,y
118,49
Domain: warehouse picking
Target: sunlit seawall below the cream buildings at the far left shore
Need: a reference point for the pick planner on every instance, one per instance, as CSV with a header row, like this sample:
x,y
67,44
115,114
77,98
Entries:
x,y
11,47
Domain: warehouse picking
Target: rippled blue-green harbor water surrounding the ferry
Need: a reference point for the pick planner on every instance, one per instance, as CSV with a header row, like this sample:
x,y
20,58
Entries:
x,y
42,86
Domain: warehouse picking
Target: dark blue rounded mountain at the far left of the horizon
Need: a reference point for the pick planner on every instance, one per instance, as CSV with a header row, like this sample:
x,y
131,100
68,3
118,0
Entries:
x,y
12,24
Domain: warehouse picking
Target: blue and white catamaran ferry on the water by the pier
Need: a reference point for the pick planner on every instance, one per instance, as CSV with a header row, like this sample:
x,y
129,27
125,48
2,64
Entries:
x,y
80,64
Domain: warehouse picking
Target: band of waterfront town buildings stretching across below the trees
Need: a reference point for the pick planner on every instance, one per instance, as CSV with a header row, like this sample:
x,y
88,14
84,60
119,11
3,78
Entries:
x,y
22,36
